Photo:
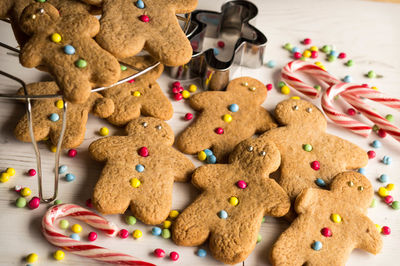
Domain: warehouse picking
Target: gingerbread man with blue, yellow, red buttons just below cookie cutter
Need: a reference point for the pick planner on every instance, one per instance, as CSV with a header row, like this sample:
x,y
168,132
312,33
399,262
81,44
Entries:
x,y
226,118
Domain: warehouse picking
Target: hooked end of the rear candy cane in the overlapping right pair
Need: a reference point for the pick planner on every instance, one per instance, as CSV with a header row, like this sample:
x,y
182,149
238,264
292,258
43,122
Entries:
x,y
299,66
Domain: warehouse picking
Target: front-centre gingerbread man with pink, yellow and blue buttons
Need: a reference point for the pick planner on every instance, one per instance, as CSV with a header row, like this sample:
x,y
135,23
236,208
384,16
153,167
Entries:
x,y
234,200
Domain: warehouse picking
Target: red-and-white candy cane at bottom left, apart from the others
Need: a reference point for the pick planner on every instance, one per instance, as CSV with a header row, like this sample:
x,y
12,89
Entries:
x,y
81,248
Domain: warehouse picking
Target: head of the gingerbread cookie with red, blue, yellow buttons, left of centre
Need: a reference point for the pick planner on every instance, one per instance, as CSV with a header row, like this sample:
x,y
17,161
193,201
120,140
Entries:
x,y
152,129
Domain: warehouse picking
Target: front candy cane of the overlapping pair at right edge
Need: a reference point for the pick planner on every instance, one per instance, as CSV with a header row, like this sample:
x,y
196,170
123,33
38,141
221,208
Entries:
x,y
352,94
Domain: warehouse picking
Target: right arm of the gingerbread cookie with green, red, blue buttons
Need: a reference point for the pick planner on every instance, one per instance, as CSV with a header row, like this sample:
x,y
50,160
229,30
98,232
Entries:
x,y
353,156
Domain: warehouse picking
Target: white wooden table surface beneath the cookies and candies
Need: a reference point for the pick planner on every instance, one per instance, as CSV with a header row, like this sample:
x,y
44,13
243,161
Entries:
x,y
367,31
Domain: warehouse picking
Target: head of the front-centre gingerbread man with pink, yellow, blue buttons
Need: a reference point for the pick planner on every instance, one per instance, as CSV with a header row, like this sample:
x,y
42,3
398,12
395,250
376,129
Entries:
x,y
256,155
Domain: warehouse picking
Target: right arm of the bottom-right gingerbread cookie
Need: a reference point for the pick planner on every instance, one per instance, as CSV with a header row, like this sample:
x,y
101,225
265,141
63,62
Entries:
x,y
369,239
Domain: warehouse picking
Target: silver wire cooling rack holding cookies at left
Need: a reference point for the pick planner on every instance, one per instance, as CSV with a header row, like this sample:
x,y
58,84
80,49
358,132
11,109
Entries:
x,y
28,99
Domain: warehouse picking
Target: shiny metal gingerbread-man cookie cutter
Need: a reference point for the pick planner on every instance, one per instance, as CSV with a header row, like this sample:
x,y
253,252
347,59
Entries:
x,y
231,24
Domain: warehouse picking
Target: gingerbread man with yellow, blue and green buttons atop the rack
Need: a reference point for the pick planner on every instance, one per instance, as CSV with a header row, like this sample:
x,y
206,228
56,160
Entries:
x,y
64,45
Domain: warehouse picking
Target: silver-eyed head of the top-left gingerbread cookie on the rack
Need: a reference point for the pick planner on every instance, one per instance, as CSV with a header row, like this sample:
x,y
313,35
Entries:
x,y
38,16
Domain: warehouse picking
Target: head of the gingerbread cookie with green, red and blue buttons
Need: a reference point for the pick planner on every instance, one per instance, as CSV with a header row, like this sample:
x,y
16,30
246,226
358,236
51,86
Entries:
x,y
299,112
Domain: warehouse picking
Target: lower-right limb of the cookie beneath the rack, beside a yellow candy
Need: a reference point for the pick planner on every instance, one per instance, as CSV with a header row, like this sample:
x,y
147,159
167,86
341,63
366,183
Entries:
x,y
156,103
